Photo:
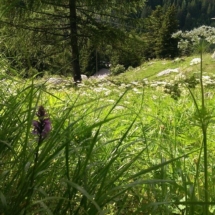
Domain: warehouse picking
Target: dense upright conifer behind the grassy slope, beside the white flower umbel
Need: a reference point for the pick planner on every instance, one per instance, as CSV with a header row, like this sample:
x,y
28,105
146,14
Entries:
x,y
159,29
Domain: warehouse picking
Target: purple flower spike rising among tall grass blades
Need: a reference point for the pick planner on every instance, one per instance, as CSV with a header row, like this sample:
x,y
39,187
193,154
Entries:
x,y
42,126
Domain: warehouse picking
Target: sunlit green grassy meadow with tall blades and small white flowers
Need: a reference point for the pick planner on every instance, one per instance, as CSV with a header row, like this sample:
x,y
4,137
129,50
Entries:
x,y
118,145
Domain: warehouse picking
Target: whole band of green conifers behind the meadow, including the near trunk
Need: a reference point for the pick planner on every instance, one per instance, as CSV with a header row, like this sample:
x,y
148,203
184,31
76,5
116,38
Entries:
x,y
79,36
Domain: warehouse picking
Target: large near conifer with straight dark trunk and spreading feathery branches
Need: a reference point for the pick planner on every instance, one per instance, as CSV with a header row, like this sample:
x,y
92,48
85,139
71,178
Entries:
x,y
71,21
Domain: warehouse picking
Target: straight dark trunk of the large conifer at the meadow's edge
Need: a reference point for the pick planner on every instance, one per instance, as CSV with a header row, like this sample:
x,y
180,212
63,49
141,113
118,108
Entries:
x,y
74,42
